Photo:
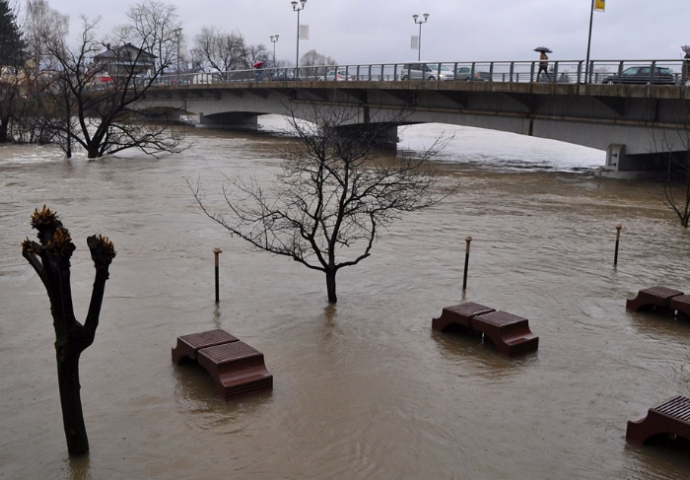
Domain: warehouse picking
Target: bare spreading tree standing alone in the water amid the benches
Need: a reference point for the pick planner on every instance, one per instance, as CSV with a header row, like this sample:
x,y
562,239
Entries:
x,y
334,194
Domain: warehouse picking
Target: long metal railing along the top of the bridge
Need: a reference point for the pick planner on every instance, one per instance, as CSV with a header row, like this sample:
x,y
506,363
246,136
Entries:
x,y
650,72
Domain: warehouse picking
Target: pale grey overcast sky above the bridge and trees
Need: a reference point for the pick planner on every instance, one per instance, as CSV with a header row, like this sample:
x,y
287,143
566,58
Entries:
x,y
376,31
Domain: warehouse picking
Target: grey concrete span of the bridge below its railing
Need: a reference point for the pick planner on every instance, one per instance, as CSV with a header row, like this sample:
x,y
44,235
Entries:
x,y
629,121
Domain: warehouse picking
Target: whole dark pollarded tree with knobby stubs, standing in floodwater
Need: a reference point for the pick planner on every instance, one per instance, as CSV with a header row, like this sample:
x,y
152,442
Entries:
x,y
51,260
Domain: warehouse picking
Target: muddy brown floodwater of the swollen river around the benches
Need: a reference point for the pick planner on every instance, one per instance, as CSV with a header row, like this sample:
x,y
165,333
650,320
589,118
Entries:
x,y
363,390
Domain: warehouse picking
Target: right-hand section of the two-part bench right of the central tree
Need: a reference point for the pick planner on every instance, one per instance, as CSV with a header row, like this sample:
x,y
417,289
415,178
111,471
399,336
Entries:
x,y
510,333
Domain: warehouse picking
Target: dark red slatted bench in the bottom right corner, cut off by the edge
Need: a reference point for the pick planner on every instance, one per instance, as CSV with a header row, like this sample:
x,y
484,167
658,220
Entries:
x,y
670,418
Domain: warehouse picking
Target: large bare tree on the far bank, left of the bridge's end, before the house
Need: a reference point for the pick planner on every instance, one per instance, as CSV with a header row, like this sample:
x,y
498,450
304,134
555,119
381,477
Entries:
x,y
101,118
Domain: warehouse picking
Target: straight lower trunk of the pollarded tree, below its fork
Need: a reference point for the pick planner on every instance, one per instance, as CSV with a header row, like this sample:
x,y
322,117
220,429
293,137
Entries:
x,y
70,400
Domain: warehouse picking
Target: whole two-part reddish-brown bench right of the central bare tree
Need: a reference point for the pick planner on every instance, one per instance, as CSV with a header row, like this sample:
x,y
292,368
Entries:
x,y
510,333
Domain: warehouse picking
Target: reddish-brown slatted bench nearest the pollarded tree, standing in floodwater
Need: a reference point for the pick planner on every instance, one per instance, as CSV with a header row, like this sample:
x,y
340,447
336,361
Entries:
x,y
234,366
